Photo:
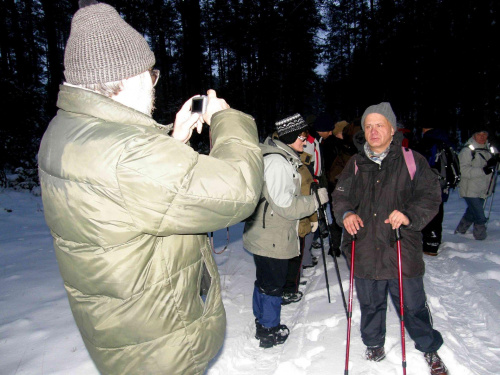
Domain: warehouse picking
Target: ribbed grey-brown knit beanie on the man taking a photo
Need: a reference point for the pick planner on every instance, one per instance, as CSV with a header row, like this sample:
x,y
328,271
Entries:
x,y
102,47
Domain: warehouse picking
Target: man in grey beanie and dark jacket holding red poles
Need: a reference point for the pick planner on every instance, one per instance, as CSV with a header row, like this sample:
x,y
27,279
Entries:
x,y
377,193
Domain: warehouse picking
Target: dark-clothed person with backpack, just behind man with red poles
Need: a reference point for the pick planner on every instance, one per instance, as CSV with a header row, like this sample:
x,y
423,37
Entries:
x,y
437,148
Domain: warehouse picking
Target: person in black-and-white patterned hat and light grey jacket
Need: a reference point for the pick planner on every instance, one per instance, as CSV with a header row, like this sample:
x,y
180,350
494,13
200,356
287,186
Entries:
x,y
271,232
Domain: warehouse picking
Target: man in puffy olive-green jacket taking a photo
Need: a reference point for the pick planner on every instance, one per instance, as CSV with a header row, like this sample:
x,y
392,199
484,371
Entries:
x,y
126,199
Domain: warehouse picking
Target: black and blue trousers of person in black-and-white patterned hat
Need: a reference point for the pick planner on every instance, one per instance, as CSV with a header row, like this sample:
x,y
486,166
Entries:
x,y
270,279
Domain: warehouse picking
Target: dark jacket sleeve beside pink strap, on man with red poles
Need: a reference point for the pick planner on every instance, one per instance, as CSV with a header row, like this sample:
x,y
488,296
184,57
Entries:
x,y
426,197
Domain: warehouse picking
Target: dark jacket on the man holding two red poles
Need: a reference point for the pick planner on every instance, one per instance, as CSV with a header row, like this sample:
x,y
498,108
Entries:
x,y
373,193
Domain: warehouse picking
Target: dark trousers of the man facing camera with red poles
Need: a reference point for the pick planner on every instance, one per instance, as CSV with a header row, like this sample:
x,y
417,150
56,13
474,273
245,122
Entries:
x,y
372,295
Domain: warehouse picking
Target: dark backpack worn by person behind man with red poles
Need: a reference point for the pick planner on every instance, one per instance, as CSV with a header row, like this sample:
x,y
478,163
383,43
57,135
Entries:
x,y
444,160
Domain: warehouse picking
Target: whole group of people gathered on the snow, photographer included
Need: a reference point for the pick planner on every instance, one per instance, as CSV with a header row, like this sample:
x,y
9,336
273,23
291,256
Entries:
x,y
126,199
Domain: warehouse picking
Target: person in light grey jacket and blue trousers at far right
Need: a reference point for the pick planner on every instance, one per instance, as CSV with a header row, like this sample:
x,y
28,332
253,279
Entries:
x,y
478,161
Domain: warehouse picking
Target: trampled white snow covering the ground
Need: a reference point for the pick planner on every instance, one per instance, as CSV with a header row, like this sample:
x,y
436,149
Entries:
x,y
38,334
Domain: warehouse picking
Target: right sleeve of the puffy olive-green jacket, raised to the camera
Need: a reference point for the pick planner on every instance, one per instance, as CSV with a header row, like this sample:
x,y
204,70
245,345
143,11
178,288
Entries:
x,y
168,188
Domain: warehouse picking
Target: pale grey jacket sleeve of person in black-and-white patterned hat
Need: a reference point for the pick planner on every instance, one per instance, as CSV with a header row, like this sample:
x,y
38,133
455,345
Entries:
x,y
281,190
